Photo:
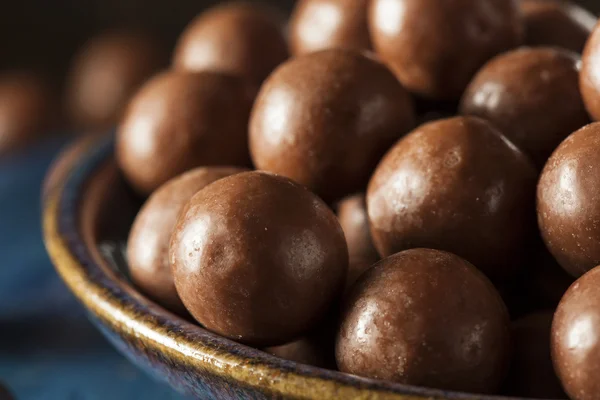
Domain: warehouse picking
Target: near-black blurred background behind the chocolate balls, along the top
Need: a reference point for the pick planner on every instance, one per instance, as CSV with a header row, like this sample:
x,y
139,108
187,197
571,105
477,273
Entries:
x,y
44,34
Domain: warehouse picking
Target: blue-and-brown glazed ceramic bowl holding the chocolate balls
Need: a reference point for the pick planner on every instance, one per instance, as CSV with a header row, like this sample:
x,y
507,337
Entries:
x,y
86,206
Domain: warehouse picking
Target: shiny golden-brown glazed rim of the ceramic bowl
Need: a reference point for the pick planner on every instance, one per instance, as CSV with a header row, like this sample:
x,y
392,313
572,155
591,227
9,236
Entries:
x,y
117,304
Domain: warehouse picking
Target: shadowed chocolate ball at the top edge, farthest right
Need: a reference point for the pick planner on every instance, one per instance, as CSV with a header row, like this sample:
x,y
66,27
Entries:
x,y
556,23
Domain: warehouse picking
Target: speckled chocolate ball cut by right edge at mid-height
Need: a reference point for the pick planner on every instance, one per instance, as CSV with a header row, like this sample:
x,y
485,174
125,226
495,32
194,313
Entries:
x,y
567,198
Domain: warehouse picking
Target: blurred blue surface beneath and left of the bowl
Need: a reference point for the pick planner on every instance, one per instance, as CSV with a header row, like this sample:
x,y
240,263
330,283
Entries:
x,y
48,348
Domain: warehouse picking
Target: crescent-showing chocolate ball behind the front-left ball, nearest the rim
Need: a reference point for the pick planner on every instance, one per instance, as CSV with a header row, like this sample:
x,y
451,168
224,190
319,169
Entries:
x,y
148,245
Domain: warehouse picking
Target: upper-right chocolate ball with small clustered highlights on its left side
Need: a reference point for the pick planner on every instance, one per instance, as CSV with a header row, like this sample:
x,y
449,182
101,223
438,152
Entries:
x,y
532,95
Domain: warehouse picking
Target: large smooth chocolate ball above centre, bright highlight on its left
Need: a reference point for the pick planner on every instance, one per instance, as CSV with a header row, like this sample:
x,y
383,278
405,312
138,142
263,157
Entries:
x,y
325,119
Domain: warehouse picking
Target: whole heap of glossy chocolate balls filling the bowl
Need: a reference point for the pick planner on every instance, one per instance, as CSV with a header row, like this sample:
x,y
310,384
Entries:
x,y
430,127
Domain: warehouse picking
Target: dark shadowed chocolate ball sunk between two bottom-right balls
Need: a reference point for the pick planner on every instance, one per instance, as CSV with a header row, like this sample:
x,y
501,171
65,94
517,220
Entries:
x,y
531,372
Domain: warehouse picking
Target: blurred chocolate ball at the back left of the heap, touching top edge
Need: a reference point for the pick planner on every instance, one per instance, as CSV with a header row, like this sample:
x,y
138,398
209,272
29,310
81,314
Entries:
x,y
238,38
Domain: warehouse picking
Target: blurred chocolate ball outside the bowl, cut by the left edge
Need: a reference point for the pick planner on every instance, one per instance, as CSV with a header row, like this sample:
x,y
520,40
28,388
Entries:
x,y
26,110
